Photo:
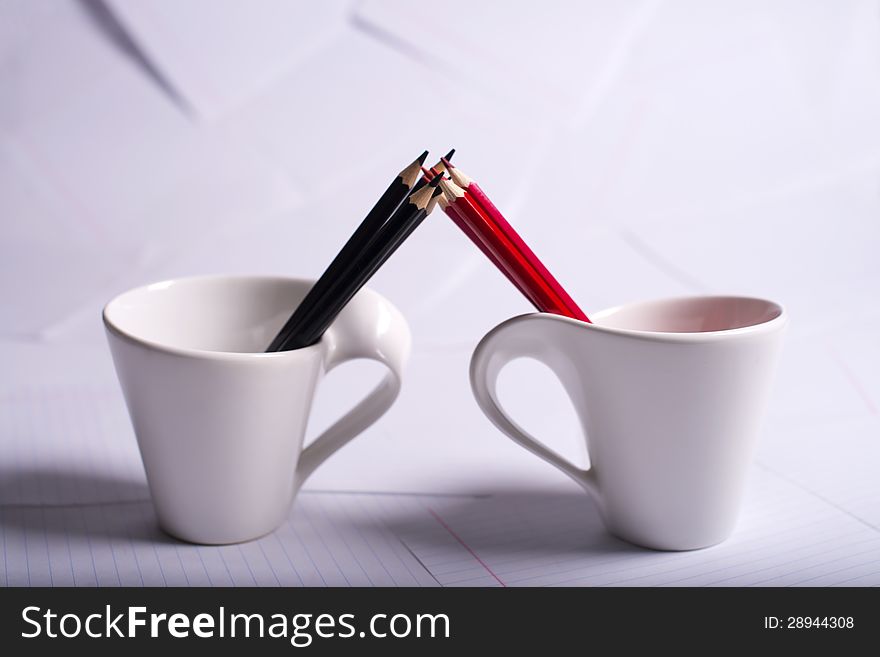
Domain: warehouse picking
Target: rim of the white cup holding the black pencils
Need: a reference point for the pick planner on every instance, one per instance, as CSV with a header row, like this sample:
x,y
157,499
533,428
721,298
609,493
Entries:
x,y
114,328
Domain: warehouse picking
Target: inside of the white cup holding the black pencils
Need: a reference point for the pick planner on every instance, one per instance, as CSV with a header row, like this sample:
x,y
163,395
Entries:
x,y
220,313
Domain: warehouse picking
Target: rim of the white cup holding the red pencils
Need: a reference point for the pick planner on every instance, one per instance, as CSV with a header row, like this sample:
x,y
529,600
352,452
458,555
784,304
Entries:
x,y
776,322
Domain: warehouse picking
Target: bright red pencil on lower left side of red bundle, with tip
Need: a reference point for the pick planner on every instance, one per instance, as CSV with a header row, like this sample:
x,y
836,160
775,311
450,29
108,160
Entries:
x,y
498,247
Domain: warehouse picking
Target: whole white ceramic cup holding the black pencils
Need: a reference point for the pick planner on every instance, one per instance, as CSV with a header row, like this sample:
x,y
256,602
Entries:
x,y
219,423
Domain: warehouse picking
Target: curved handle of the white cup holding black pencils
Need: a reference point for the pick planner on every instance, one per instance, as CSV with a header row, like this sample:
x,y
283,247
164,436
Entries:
x,y
365,329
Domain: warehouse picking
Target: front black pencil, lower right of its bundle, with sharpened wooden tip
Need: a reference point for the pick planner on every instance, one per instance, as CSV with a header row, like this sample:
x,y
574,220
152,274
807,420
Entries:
x,y
391,235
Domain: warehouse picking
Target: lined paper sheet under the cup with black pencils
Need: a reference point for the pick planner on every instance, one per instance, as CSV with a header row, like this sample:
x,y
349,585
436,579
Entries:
x,y
330,541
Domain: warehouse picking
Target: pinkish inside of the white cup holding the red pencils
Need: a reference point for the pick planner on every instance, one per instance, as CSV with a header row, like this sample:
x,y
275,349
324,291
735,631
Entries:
x,y
690,314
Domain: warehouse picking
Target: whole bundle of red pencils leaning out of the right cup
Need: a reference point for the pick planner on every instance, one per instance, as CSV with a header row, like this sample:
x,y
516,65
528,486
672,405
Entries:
x,y
475,214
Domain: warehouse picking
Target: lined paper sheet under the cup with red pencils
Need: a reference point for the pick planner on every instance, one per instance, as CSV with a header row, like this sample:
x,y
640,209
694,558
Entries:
x,y
783,538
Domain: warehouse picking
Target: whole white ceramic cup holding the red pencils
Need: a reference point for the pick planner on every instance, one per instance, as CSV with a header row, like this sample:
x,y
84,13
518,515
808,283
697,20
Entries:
x,y
670,396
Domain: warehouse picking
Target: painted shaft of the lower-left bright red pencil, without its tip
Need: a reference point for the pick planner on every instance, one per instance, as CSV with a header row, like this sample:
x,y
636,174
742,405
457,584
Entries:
x,y
509,259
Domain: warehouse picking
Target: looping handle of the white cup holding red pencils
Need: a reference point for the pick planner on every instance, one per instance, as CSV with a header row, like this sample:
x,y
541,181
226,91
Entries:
x,y
522,337
